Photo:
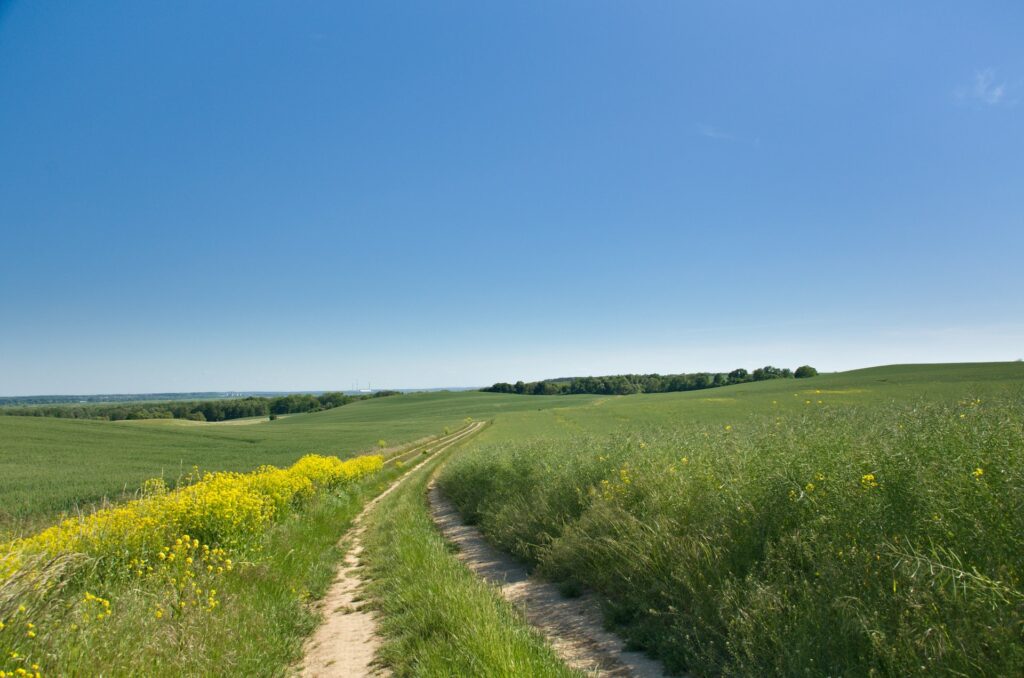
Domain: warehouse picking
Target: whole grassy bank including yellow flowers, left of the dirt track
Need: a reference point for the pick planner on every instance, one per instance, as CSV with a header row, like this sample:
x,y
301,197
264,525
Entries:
x,y
101,598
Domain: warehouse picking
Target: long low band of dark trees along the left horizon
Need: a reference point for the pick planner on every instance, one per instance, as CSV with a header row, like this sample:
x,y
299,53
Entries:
x,y
221,410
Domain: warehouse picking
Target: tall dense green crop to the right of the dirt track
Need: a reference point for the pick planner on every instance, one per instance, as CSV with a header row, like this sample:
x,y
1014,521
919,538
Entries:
x,y
883,540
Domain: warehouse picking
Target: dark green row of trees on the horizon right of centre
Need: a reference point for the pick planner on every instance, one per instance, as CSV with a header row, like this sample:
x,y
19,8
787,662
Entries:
x,y
626,385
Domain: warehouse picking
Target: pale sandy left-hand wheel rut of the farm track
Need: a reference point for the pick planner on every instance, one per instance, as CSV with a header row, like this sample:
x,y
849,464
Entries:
x,y
346,644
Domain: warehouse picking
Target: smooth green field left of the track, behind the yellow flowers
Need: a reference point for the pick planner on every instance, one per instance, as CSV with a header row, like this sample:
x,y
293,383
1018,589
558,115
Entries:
x,y
51,467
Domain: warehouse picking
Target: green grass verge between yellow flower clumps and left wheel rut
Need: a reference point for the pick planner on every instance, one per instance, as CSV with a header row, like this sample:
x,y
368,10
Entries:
x,y
121,626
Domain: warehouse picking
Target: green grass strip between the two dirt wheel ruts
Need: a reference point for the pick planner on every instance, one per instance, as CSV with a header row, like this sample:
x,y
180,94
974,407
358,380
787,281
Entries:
x,y
438,619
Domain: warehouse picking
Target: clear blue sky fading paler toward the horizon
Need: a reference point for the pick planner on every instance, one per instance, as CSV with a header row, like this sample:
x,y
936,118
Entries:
x,y
289,196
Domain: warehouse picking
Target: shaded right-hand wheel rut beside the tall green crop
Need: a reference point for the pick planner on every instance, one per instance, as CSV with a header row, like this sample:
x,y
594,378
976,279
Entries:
x,y
574,626
